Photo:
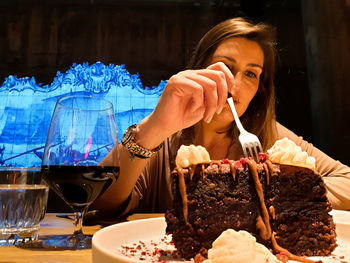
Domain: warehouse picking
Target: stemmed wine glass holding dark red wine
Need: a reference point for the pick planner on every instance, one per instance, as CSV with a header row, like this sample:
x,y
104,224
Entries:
x,y
82,132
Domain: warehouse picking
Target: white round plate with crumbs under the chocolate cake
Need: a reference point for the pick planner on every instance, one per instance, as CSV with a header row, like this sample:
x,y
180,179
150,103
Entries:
x,y
141,240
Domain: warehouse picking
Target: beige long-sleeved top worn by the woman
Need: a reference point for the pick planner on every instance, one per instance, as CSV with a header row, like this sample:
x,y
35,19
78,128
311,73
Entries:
x,y
152,192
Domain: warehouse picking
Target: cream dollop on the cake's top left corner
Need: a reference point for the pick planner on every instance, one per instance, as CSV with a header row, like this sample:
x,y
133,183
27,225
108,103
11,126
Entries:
x,y
188,155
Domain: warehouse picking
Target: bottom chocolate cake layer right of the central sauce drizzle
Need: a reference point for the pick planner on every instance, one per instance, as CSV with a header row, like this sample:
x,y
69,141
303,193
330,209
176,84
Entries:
x,y
306,228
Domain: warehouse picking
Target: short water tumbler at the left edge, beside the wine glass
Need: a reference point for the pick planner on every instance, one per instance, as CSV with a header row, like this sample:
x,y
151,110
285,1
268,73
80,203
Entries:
x,y
23,200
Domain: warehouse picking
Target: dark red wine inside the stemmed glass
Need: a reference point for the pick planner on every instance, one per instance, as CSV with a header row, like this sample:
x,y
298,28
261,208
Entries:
x,y
79,185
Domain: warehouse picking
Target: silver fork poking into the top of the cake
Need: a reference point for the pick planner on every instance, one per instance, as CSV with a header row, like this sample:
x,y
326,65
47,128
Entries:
x,y
250,142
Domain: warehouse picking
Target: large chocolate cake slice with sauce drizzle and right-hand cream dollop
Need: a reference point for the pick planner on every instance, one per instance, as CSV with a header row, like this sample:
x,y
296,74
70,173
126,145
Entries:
x,y
284,206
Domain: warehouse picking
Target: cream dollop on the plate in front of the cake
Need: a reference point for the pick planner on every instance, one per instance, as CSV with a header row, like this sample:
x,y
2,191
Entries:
x,y
236,247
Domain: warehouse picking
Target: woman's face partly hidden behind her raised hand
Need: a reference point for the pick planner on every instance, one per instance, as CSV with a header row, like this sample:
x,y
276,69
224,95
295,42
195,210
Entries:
x,y
245,59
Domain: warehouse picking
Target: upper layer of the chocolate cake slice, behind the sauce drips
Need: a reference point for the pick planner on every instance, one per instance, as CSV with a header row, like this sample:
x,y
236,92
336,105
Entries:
x,y
286,182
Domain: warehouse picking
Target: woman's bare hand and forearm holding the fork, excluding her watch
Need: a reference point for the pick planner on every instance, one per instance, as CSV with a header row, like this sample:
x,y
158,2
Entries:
x,y
188,97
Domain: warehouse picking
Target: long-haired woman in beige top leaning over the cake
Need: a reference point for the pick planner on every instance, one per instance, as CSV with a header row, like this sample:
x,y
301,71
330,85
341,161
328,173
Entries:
x,y
235,58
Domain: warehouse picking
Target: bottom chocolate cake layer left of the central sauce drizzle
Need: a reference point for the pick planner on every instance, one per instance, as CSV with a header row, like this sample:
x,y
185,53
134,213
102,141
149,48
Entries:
x,y
206,222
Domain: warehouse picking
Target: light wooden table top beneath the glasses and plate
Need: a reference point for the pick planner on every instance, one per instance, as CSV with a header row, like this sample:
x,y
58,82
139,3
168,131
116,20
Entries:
x,y
53,225
